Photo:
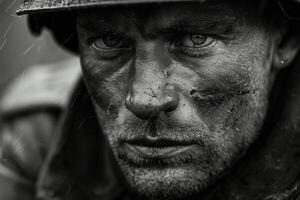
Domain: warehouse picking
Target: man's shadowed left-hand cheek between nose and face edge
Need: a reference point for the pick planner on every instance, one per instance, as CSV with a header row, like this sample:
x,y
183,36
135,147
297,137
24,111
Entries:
x,y
106,82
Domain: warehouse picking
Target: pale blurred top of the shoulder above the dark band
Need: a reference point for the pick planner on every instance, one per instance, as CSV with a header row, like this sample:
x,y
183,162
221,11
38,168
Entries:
x,y
41,86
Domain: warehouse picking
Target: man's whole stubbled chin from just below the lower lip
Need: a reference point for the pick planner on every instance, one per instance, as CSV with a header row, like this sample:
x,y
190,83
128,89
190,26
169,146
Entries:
x,y
177,178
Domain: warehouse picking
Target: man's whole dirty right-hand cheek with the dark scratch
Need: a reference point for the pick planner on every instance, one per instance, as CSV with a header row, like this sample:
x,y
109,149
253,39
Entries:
x,y
227,92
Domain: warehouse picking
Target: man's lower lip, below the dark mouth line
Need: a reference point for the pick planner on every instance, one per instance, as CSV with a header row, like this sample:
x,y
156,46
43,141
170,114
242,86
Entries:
x,y
156,152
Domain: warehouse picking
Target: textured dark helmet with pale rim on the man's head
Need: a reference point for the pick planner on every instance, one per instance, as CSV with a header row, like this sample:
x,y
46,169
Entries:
x,y
41,14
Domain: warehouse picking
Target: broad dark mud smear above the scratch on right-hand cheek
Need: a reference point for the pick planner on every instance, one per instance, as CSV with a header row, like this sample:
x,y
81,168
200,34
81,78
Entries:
x,y
220,83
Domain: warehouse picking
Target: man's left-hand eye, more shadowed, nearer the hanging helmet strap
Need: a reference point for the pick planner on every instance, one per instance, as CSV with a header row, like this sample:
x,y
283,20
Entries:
x,y
111,41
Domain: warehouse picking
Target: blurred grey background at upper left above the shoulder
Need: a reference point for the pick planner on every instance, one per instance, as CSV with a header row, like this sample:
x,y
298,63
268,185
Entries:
x,y
18,48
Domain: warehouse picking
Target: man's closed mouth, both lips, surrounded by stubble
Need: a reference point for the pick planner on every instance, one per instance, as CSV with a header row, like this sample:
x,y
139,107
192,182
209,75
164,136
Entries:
x,y
155,149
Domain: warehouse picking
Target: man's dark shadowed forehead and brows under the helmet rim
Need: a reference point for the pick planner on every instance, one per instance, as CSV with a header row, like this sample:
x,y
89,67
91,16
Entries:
x,y
151,20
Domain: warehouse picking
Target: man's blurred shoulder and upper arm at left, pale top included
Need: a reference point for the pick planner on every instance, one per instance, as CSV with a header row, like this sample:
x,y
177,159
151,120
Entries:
x,y
30,109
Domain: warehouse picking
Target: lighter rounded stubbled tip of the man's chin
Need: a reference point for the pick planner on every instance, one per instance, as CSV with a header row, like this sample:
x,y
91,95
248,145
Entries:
x,y
166,183
